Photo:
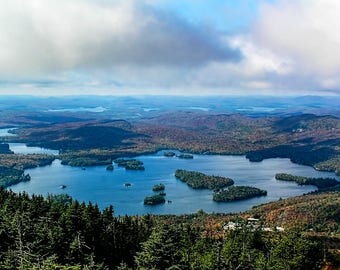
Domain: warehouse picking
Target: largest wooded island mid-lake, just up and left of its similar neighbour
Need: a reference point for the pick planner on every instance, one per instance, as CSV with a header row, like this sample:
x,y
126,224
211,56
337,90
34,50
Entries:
x,y
197,180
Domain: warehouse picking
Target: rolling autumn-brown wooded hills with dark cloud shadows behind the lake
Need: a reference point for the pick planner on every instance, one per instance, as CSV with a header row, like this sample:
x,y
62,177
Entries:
x,y
306,139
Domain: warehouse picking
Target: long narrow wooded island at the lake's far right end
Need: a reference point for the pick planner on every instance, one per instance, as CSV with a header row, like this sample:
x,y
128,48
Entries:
x,y
301,180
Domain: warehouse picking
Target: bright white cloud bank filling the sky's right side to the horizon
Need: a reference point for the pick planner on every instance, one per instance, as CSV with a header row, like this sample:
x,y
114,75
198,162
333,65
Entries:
x,y
293,47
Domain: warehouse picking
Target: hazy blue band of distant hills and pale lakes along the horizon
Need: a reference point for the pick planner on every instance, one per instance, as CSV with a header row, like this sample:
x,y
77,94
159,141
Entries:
x,y
130,107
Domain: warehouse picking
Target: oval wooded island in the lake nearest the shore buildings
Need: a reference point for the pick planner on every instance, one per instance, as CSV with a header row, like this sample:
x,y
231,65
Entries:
x,y
237,193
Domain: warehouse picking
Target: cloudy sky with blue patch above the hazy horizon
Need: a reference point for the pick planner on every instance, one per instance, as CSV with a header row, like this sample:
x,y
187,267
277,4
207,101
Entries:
x,y
170,47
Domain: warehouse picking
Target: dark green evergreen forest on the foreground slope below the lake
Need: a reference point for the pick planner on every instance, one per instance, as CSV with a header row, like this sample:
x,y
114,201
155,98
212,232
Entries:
x,y
61,233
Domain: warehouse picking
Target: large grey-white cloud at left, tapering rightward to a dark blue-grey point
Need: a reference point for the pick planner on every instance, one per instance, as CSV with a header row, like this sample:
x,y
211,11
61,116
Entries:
x,y
59,35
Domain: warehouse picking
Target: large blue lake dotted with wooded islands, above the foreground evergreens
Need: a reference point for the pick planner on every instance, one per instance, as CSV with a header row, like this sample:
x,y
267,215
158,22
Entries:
x,y
103,187
